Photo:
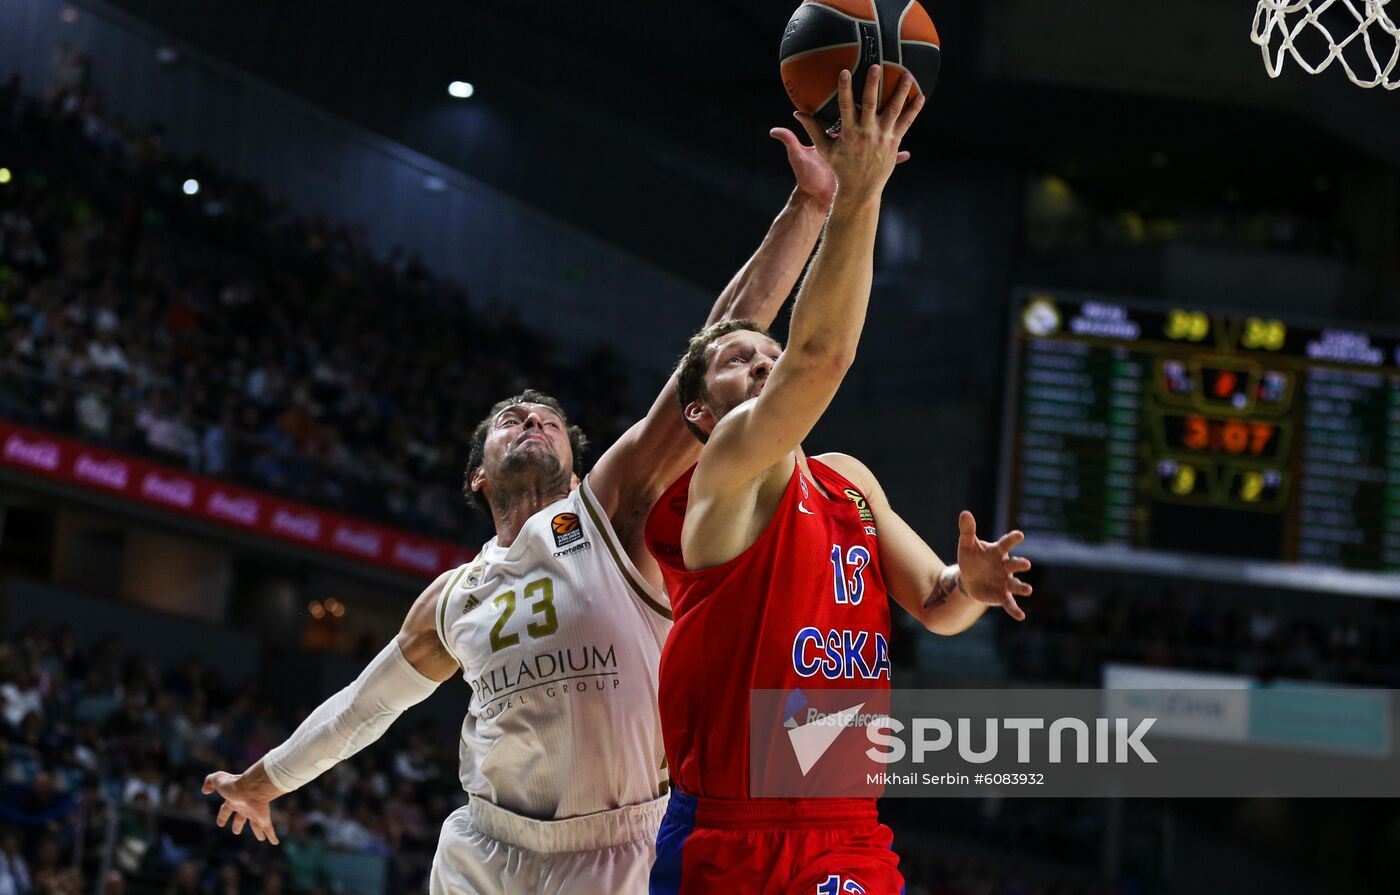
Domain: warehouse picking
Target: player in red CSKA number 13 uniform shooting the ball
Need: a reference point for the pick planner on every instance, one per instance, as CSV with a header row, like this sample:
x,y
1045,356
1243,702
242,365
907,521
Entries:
x,y
779,565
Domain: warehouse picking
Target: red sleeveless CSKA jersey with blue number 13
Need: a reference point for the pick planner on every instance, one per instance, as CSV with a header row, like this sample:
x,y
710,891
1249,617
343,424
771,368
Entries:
x,y
804,607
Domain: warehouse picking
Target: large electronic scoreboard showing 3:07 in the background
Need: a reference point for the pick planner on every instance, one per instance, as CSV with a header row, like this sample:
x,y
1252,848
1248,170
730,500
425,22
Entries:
x,y
1195,442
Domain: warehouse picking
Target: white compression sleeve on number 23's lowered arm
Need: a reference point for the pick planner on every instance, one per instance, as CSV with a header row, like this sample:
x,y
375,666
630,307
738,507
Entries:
x,y
351,721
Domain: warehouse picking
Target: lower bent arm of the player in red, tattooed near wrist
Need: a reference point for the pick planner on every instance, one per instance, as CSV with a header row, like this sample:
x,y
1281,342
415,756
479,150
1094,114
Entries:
x,y
947,600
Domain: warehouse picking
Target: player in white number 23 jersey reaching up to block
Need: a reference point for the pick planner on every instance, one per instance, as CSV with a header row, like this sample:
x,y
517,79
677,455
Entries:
x,y
558,627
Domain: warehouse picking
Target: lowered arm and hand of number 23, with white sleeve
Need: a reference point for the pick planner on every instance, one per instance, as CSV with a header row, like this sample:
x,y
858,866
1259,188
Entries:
x,y
398,679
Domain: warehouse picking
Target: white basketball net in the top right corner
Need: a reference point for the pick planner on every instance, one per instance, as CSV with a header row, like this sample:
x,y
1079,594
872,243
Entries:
x,y
1367,44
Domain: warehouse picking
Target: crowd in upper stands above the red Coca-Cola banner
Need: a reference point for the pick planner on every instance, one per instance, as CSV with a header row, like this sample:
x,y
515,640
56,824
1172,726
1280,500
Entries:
x,y
226,335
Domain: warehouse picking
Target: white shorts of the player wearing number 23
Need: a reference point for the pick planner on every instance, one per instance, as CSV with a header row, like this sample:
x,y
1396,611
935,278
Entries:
x,y
489,851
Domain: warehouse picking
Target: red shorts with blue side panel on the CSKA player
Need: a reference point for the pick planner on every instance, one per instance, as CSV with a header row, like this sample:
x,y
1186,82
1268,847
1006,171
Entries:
x,y
773,847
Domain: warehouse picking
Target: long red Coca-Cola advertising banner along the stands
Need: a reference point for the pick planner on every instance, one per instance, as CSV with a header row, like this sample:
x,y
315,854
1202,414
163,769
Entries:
x,y
232,506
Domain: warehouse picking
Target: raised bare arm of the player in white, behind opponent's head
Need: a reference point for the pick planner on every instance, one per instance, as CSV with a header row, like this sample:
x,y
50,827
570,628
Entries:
x,y
660,447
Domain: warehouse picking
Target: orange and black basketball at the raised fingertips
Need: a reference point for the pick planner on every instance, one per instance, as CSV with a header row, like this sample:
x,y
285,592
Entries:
x,y
828,36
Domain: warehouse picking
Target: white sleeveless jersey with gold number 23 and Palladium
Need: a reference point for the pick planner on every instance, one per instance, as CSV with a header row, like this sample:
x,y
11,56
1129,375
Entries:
x,y
561,641
